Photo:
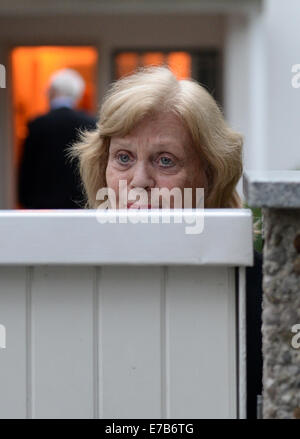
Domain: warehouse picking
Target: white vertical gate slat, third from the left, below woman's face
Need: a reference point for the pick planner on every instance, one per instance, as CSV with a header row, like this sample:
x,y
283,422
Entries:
x,y
130,342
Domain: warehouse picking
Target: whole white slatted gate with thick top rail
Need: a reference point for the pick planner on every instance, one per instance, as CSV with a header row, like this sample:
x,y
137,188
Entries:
x,y
123,320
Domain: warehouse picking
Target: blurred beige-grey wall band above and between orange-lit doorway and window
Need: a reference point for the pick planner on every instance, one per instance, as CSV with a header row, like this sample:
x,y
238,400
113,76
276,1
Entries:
x,y
109,32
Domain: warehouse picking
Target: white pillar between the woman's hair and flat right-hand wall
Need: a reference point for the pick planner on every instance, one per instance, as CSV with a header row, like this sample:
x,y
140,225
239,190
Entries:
x,y
245,83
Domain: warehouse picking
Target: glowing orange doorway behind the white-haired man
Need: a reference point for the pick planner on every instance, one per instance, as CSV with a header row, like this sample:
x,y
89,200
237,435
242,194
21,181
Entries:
x,y
31,70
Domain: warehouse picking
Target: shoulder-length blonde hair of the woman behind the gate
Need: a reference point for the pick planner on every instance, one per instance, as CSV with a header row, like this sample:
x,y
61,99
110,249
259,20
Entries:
x,y
149,91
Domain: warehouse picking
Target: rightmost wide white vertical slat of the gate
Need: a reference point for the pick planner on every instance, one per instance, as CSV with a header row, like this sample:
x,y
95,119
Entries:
x,y
201,343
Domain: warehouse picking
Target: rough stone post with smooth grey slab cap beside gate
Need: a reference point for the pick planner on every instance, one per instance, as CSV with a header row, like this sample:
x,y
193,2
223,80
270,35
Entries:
x,y
278,196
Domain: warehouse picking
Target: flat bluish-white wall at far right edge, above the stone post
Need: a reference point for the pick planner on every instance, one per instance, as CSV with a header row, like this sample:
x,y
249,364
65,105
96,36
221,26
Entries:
x,y
282,23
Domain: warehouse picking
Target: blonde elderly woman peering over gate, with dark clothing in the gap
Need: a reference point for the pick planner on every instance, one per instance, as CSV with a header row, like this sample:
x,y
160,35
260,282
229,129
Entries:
x,y
155,132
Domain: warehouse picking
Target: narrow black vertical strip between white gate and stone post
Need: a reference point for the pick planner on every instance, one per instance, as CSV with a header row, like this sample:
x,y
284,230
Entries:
x,y
254,335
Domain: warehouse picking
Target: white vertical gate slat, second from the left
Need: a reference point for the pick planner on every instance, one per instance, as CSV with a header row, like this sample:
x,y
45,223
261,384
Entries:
x,y
62,342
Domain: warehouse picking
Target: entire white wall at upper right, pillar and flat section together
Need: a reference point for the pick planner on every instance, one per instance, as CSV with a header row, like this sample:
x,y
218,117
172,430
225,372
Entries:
x,y
259,98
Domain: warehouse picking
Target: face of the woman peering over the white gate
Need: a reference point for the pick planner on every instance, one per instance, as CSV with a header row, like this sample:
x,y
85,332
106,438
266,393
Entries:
x,y
157,153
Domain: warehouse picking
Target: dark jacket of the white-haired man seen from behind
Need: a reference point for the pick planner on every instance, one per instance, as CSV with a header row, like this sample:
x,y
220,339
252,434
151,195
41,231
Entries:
x,y
47,180
